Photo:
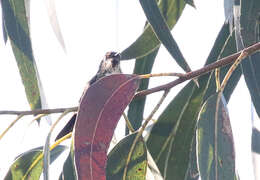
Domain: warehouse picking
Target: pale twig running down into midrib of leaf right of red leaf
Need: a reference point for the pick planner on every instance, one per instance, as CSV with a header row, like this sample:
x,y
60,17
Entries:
x,y
140,132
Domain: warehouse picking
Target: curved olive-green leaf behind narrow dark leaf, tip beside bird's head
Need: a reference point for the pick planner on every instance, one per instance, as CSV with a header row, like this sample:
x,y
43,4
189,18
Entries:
x,y
147,41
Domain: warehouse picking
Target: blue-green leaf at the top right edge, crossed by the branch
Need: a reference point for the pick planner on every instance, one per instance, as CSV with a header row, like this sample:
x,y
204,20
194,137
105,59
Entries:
x,y
248,36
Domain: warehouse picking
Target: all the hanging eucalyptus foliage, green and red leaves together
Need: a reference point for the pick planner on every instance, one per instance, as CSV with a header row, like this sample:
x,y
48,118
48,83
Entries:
x,y
192,137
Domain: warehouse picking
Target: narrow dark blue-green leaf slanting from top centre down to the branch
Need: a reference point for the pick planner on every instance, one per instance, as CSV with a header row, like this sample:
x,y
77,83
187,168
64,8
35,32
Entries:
x,y
162,31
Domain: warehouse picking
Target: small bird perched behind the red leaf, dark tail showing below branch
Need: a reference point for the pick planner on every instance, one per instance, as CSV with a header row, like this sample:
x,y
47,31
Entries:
x,y
110,64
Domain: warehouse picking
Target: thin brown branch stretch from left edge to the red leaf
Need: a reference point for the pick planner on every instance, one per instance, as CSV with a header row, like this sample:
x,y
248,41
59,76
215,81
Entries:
x,y
39,111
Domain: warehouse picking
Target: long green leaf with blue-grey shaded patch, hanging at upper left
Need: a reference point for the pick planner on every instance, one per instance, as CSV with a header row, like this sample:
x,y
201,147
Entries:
x,y
17,28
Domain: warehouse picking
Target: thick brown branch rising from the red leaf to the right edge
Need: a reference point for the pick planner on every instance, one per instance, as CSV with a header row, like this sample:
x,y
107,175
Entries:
x,y
193,74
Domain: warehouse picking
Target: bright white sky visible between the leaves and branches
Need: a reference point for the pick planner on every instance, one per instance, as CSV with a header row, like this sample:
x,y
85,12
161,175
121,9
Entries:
x,y
91,28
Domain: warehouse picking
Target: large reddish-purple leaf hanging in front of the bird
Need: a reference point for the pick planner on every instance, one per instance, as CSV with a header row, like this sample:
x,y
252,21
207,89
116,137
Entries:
x,y
99,111
